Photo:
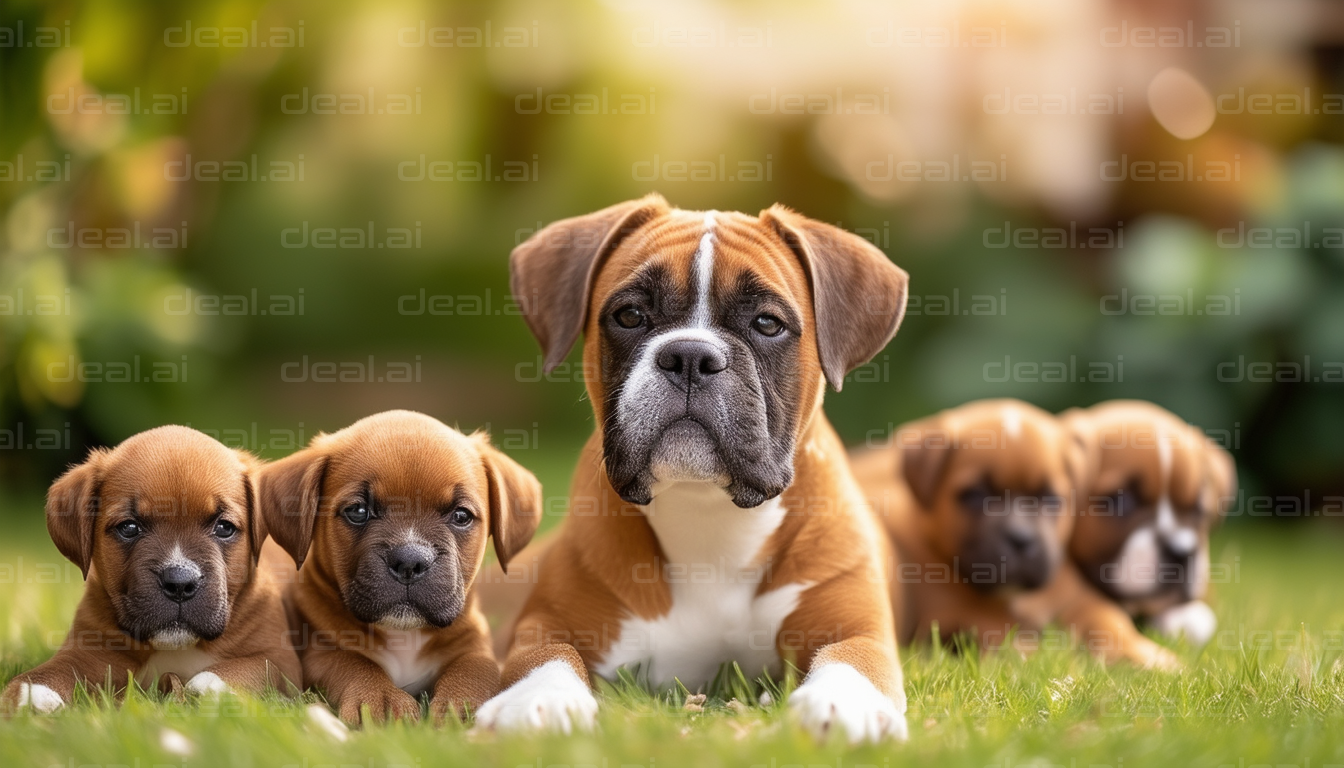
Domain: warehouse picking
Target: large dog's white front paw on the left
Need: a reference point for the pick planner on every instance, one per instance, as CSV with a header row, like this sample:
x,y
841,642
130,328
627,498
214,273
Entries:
x,y
552,697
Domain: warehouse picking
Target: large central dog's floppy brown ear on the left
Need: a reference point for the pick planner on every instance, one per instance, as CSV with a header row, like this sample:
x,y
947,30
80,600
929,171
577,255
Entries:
x,y
552,275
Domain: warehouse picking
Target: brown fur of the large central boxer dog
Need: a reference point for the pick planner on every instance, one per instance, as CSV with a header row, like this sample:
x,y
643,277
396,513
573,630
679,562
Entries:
x,y
585,586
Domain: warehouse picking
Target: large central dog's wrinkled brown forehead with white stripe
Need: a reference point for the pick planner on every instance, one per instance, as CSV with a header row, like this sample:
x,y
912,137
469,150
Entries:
x,y
697,260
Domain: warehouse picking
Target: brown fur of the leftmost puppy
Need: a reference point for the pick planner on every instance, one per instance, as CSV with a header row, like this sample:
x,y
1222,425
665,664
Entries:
x,y
178,481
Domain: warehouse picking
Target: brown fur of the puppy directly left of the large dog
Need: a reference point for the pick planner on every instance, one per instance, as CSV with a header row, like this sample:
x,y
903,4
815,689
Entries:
x,y
425,467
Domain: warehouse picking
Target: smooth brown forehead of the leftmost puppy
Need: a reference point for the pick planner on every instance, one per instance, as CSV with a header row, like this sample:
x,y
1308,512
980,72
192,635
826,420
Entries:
x,y
174,471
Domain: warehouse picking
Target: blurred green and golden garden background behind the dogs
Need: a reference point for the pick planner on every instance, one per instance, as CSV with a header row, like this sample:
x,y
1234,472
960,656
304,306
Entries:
x,y
267,220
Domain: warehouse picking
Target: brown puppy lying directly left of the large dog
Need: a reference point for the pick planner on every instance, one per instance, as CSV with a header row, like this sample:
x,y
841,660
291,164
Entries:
x,y
388,521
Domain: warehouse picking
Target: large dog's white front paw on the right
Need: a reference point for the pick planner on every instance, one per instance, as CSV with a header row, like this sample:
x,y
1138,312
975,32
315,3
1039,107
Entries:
x,y
837,696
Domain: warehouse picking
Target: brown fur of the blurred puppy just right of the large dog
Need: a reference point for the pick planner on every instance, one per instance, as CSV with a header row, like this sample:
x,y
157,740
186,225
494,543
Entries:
x,y
915,486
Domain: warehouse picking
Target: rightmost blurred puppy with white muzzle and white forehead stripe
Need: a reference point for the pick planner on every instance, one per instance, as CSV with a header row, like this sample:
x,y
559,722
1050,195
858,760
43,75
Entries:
x,y
1157,488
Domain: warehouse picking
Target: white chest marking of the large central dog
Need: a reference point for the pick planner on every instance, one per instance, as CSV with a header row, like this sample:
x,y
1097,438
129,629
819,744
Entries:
x,y
714,574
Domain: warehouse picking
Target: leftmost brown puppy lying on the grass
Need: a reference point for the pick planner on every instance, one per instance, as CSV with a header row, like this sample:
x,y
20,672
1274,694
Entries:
x,y
167,533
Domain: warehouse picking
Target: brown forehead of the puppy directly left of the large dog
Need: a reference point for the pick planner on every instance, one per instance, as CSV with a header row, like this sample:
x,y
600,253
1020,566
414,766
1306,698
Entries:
x,y
408,463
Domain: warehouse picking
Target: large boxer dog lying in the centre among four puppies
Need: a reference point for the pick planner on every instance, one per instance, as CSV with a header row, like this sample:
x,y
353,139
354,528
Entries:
x,y
713,514
